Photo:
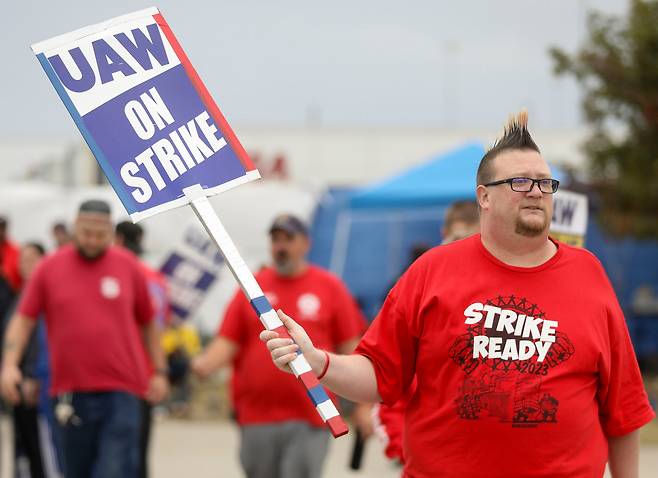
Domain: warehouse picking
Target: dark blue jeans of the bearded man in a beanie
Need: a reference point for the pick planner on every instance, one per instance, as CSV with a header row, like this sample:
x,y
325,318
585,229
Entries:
x,y
102,439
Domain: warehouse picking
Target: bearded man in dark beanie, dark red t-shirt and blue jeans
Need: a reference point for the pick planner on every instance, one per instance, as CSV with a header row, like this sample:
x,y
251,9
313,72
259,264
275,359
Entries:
x,y
97,309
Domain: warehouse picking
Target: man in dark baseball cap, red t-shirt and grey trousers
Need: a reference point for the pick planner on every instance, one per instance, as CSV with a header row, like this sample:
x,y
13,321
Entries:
x,y
282,434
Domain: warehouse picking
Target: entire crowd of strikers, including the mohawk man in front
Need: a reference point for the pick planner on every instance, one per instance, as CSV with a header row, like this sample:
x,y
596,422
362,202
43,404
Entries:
x,y
459,353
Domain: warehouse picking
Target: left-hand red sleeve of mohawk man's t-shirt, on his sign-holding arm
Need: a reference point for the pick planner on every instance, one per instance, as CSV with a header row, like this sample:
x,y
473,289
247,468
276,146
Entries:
x,y
391,342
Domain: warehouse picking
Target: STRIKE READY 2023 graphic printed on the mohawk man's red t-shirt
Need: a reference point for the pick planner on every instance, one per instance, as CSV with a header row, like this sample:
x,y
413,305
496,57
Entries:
x,y
509,347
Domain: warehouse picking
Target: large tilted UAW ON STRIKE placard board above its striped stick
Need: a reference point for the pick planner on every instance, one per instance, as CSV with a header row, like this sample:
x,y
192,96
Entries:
x,y
144,112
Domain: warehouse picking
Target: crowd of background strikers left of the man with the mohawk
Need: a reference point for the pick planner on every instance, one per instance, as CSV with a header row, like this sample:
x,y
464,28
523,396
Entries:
x,y
87,327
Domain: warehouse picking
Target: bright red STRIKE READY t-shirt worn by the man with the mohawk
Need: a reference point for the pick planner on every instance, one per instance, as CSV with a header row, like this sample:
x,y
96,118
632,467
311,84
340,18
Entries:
x,y
521,371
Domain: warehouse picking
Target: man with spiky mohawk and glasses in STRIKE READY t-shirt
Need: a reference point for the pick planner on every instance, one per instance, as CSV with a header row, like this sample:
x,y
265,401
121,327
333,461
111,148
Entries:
x,y
521,351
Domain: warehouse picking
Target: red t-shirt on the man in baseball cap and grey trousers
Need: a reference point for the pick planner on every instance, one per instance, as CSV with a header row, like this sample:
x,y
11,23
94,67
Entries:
x,y
321,304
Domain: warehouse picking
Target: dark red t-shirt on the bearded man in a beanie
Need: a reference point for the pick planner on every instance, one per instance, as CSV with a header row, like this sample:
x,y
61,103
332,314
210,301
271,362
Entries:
x,y
93,310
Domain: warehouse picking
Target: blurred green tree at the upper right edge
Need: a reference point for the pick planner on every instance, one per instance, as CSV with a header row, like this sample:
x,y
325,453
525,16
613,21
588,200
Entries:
x,y
617,68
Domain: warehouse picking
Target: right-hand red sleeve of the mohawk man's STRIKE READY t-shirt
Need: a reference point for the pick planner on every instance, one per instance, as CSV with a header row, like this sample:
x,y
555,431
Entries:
x,y
623,403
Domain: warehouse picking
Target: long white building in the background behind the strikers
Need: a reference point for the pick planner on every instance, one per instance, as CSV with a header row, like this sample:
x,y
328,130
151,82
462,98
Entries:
x,y
311,156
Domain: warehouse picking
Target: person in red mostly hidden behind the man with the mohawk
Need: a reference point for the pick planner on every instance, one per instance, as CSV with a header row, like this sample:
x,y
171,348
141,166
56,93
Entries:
x,y
461,220
